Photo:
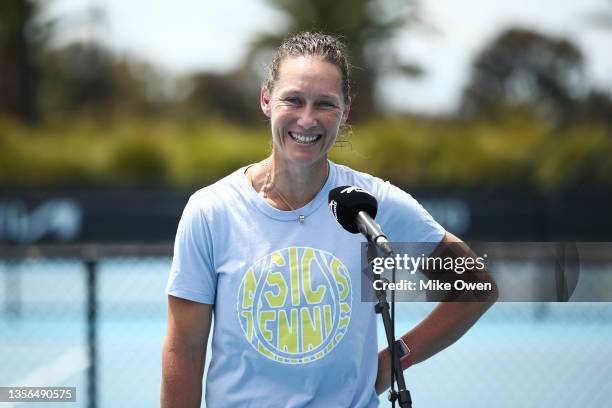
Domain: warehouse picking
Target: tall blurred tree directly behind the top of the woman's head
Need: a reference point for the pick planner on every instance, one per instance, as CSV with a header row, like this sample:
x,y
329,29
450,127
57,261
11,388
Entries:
x,y
364,25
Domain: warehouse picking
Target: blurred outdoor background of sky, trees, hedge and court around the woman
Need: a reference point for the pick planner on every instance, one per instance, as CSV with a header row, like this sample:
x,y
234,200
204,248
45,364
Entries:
x,y
497,116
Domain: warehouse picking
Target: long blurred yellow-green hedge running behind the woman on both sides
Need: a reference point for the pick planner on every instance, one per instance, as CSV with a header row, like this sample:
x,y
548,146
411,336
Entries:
x,y
518,150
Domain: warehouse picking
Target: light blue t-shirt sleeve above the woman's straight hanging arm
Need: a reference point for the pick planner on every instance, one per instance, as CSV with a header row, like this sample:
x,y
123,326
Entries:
x,y
192,275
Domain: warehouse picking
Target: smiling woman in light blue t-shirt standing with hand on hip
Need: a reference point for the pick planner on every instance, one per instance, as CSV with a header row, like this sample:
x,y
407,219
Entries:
x,y
261,247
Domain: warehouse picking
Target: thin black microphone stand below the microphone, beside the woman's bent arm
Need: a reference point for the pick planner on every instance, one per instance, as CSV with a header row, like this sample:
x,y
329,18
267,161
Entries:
x,y
382,308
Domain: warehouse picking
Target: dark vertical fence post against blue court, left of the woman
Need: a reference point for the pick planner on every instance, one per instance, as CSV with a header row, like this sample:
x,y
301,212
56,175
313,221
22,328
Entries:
x,y
91,265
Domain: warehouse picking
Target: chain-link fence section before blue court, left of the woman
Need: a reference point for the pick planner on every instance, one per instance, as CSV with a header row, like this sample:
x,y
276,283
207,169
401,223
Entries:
x,y
86,316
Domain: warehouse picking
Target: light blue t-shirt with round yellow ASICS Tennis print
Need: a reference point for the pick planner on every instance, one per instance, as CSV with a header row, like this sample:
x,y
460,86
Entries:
x,y
290,327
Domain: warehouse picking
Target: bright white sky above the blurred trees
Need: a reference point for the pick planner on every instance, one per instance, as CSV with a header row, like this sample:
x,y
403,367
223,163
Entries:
x,y
184,36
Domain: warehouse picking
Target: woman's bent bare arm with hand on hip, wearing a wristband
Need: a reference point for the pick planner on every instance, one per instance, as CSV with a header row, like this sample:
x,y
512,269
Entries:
x,y
443,326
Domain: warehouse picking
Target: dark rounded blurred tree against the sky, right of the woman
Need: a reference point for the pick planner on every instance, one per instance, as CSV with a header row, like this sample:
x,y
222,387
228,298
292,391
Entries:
x,y
524,68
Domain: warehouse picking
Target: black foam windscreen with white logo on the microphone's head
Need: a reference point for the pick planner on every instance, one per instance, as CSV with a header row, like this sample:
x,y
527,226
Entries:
x,y
345,202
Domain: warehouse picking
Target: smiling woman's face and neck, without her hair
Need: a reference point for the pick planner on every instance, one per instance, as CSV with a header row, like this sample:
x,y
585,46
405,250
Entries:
x,y
306,108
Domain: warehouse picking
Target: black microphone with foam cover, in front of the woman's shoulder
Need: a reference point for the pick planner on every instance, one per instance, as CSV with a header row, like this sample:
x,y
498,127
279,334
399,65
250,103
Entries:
x,y
355,209
